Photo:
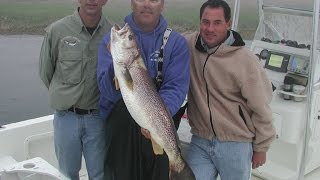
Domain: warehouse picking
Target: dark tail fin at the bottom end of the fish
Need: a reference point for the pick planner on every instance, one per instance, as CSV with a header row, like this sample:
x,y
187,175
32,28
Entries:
x,y
185,174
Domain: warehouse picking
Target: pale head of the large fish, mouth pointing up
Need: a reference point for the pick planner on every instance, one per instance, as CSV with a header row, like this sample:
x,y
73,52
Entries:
x,y
123,45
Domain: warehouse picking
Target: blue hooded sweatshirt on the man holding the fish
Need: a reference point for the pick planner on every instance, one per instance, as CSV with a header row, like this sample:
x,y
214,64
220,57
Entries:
x,y
175,69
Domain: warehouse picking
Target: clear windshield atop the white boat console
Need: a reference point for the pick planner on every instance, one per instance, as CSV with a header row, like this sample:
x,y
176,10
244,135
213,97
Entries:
x,y
281,20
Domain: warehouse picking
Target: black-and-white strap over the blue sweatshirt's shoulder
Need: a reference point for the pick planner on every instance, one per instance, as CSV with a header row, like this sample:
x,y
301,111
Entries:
x,y
161,57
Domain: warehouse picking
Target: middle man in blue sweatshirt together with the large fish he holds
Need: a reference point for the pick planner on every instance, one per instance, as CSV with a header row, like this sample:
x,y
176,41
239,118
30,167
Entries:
x,y
135,50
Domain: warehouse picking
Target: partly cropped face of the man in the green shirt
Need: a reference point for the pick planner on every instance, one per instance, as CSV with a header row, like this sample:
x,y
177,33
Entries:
x,y
91,7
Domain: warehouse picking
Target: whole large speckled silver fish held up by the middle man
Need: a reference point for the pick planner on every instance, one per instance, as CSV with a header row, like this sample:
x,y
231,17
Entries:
x,y
143,101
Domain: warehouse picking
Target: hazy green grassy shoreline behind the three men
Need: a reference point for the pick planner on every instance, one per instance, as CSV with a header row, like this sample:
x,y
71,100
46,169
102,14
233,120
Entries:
x,y
33,16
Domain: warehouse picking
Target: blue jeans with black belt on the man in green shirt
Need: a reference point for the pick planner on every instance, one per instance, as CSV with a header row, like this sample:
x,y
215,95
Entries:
x,y
75,135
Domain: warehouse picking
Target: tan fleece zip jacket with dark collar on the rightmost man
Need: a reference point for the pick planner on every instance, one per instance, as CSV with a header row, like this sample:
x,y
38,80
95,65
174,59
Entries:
x,y
229,93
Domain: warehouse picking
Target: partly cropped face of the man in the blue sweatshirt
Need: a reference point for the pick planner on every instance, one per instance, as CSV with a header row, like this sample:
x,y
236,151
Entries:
x,y
146,13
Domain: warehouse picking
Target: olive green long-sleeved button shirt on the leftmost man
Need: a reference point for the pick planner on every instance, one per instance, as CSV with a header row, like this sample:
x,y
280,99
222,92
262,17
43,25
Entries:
x,y
68,60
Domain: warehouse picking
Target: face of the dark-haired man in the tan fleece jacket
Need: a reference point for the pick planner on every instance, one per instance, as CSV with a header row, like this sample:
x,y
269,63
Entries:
x,y
213,26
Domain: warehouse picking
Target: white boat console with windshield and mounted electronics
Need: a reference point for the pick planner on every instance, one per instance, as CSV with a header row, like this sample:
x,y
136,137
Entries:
x,y
283,43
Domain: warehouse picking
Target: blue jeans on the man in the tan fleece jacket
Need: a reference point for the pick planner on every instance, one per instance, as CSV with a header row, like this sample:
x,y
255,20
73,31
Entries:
x,y
208,158
